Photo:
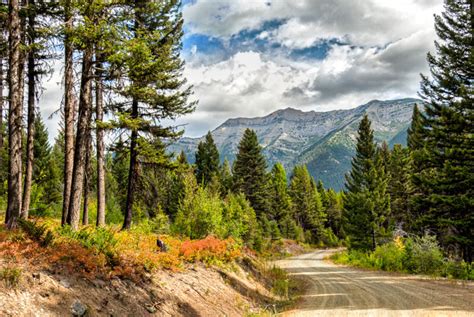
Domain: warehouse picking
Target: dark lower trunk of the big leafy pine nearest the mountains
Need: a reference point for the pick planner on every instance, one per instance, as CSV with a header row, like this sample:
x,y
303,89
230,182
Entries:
x,y
132,171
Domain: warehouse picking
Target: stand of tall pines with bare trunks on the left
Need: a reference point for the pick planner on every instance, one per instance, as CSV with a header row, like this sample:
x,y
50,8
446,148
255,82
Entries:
x,y
122,76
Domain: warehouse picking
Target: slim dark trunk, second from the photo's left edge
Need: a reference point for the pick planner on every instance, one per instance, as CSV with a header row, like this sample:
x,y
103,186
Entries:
x,y
31,118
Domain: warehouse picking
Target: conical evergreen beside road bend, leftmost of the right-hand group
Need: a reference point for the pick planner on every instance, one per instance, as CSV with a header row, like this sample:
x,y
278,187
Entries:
x,y
366,203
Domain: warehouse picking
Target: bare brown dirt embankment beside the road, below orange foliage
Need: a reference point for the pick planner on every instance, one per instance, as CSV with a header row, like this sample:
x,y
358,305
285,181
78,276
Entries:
x,y
196,291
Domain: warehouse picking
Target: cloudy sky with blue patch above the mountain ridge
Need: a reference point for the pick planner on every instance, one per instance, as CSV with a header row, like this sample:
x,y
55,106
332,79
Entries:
x,y
247,58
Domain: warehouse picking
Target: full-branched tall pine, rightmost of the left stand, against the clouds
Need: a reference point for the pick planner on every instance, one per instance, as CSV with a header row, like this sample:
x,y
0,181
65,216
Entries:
x,y
150,61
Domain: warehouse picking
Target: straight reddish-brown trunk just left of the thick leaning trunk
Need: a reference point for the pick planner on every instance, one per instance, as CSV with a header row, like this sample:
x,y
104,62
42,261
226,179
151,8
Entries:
x,y
69,113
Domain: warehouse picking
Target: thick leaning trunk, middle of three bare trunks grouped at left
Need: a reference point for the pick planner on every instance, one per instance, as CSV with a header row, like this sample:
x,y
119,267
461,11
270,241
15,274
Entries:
x,y
83,131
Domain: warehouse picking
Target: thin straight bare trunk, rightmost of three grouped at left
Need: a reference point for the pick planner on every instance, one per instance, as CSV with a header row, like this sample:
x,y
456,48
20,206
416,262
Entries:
x,y
100,148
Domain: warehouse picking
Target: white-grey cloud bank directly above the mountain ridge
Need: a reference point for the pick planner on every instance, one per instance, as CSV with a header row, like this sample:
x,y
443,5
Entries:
x,y
251,84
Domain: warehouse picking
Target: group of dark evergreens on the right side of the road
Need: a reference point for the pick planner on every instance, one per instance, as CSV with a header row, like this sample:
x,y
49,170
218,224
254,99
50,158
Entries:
x,y
429,186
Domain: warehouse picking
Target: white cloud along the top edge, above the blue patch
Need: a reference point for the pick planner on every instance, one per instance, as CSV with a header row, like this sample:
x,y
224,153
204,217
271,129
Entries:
x,y
361,22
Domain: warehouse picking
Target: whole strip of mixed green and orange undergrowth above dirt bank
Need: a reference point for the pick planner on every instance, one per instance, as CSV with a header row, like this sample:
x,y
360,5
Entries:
x,y
108,252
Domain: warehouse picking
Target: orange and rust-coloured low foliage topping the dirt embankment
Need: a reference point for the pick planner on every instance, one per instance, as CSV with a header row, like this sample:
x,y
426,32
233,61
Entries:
x,y
136,254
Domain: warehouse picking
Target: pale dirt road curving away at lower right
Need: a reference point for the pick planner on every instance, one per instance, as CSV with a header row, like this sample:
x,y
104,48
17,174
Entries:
x,y
342,291
